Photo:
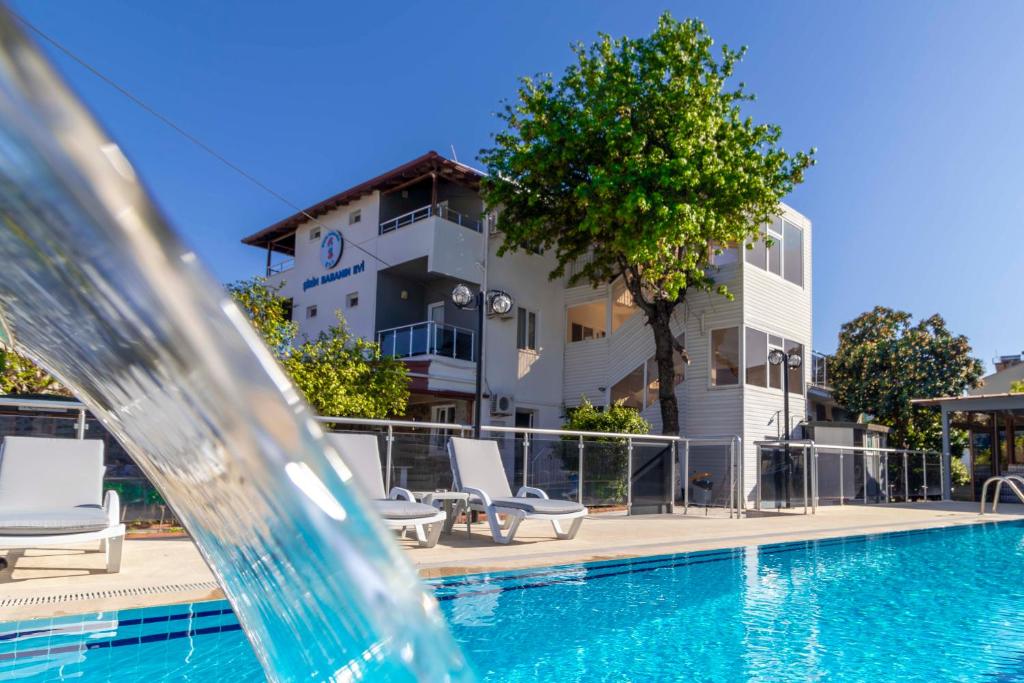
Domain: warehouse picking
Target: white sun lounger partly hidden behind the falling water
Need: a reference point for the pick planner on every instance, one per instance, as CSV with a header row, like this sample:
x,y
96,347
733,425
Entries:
x,y
400,509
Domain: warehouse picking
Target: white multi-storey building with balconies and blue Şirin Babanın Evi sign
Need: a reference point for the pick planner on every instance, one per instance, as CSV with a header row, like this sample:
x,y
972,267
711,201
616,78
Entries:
x,y
410,236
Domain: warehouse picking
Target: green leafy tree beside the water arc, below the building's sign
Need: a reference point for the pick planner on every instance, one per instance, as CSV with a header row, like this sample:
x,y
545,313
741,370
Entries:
x,y
340,374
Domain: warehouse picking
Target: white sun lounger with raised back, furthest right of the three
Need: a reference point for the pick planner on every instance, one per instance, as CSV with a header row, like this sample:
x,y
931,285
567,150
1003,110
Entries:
x,y
477,467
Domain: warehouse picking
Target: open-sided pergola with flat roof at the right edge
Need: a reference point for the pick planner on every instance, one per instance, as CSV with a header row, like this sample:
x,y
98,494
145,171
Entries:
x,y
996,424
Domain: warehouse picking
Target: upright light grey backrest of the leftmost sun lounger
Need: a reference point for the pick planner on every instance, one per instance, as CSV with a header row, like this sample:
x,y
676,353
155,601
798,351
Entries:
x,y
38,474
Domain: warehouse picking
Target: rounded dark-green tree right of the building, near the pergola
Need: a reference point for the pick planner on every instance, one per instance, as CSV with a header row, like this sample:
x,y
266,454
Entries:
x,y
884,361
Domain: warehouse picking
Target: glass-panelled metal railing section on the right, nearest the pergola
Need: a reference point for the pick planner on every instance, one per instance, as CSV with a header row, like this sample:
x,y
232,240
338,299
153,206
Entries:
x,y
868,475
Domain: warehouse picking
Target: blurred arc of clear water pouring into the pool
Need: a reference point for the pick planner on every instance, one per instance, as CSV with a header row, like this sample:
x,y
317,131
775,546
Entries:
x,y
98,289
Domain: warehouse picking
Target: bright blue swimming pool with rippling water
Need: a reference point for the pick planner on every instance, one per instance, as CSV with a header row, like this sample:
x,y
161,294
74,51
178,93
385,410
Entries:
x,y
936,605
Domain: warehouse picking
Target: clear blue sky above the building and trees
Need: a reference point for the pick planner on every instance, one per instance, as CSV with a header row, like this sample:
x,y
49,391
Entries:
x,y
915,108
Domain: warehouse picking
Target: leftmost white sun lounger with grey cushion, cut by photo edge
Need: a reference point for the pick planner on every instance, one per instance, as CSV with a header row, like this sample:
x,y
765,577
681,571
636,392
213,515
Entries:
x,y
51,496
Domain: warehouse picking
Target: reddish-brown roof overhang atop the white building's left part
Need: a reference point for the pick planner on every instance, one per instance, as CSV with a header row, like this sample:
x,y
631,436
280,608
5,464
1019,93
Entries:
x,y
280,237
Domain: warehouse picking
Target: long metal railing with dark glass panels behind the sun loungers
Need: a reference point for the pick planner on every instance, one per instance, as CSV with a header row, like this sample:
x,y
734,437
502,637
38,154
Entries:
x,y
638,472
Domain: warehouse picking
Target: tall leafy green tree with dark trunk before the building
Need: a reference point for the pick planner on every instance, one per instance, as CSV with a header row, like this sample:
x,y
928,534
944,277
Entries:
x,y
638,163
